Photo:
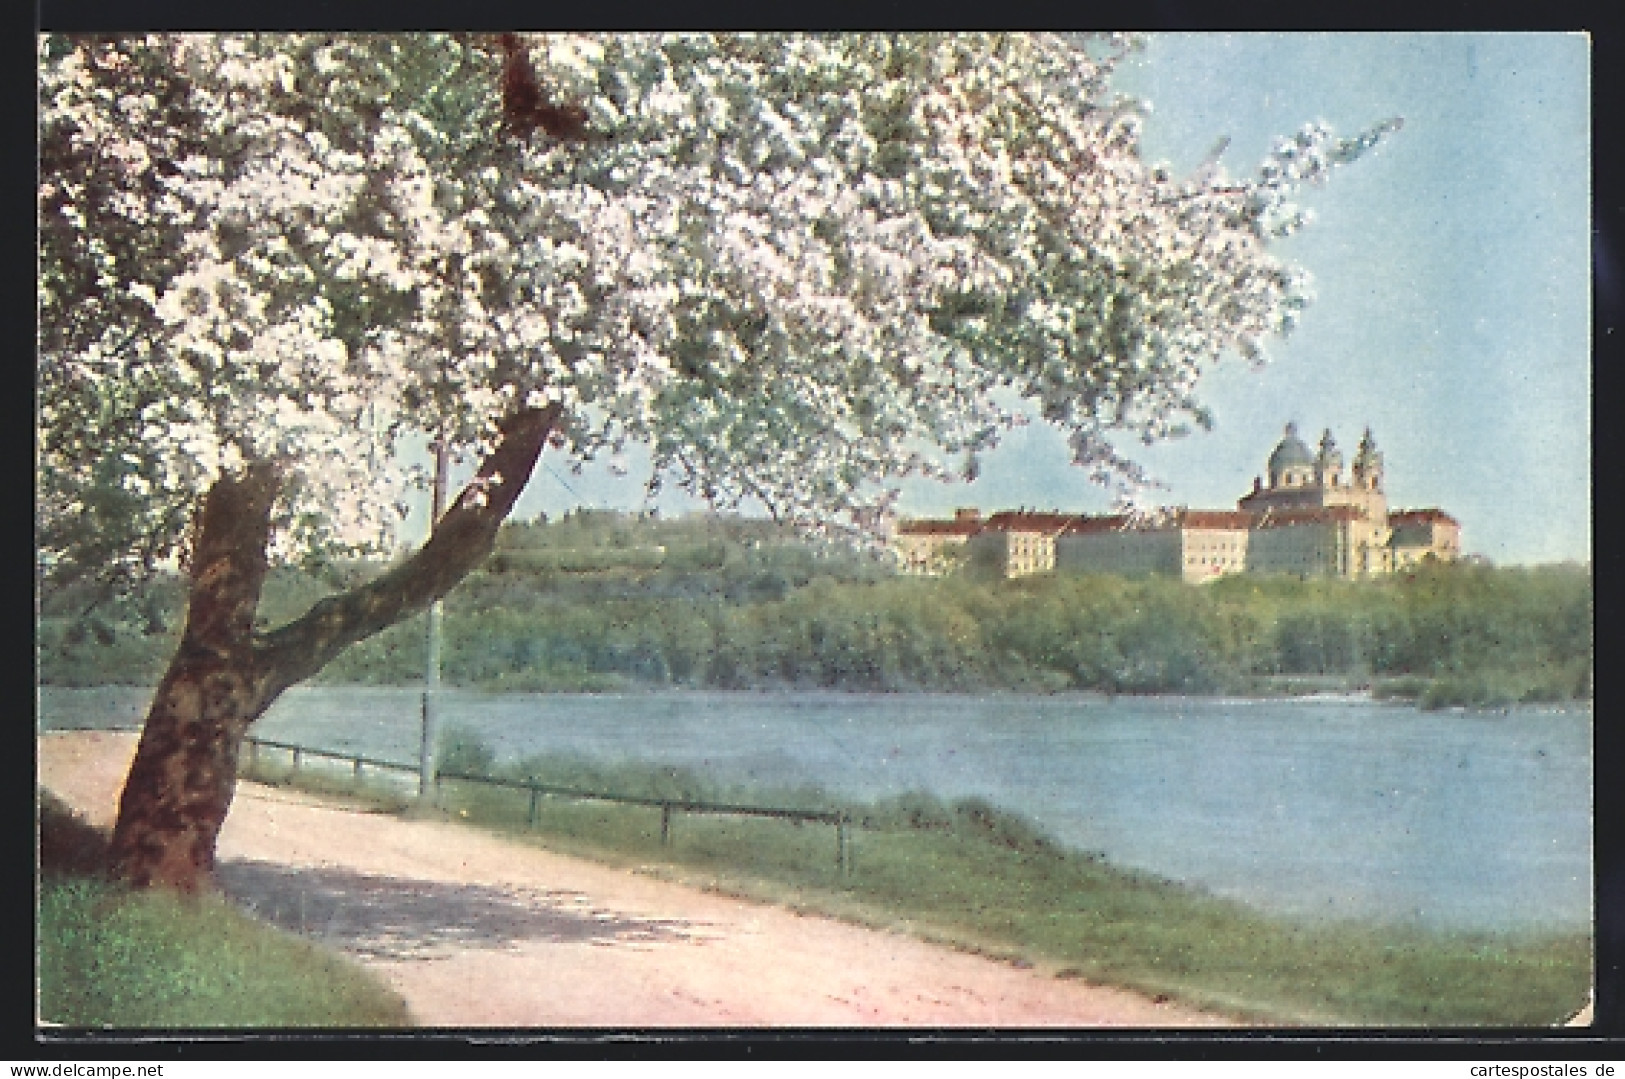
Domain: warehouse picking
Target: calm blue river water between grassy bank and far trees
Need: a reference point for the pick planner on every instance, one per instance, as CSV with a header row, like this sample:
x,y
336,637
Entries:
x,y
1304,808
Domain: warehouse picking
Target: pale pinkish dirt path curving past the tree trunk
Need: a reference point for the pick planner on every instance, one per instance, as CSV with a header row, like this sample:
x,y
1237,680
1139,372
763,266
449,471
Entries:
x,y
477,932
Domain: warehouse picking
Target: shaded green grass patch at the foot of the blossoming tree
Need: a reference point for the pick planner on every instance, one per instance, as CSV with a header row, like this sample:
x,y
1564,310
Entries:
x,y
113,958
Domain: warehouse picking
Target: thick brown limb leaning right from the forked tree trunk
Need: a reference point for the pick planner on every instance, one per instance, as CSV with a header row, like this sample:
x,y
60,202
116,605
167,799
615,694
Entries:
x,y
461,542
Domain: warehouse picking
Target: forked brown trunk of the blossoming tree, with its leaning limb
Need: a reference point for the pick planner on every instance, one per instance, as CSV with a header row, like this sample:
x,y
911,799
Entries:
x,y
225,675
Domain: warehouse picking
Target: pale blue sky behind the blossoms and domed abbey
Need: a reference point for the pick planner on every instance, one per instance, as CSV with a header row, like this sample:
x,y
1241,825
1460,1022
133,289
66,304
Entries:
x,y
1452,272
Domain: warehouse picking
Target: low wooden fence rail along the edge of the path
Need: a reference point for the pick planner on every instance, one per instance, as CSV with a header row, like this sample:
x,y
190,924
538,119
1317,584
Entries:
x,y
537,791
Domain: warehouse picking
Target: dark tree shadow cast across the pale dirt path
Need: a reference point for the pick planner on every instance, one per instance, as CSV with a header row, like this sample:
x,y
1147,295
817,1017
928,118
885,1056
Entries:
x,y
404,919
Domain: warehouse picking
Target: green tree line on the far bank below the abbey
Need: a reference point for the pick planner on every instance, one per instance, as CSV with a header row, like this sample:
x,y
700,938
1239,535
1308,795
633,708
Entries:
x,y
620,602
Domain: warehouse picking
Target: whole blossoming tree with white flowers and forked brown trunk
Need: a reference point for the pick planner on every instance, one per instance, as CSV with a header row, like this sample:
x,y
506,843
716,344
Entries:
x,y
794,266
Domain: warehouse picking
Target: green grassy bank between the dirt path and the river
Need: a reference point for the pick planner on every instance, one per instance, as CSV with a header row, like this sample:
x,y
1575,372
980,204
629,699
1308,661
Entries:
x,y
989,882
